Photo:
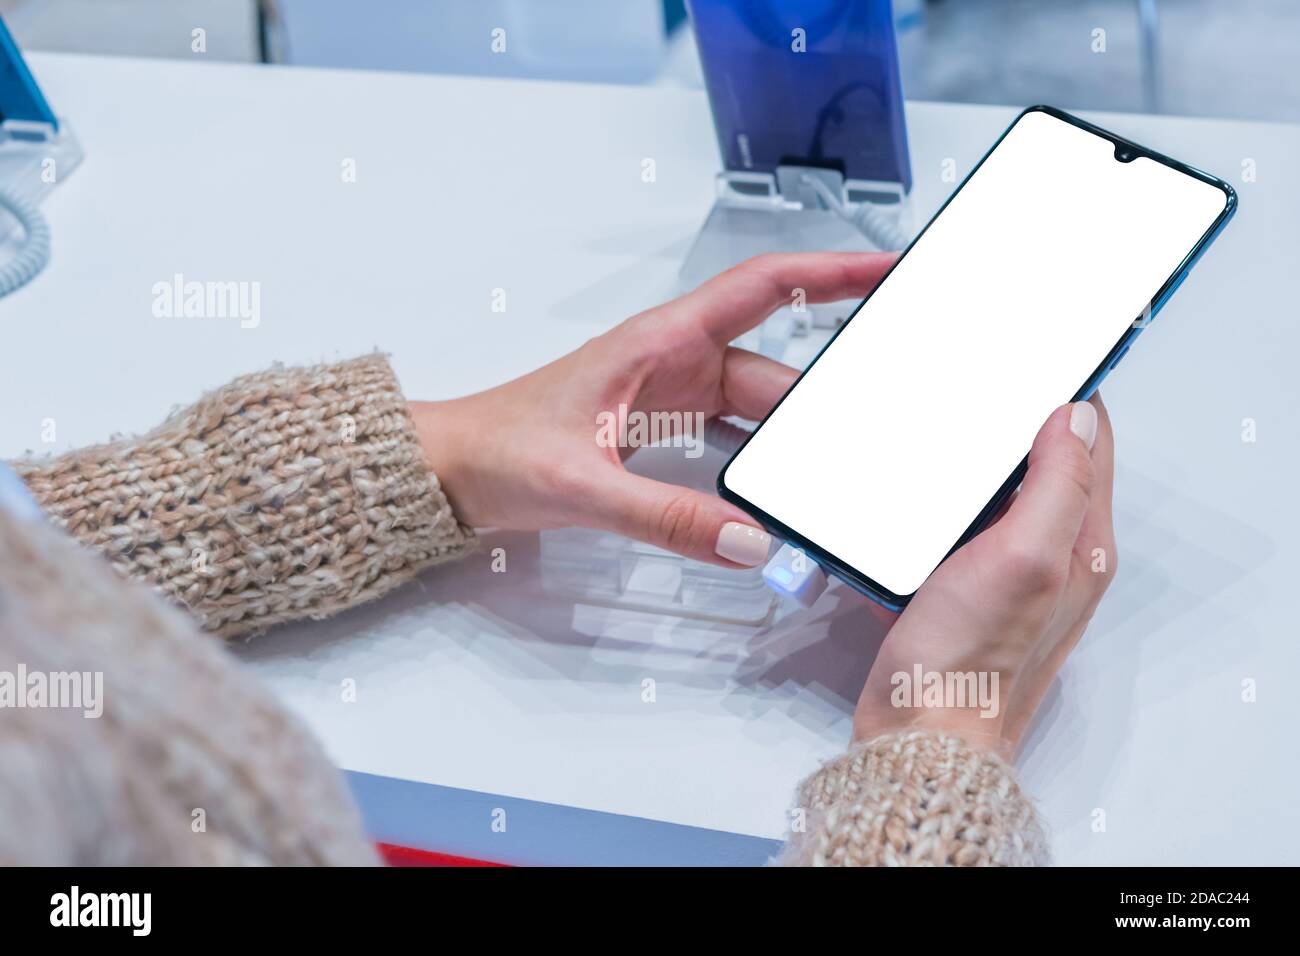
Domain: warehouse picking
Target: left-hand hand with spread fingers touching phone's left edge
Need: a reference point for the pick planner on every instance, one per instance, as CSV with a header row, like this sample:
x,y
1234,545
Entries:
x,y
534,453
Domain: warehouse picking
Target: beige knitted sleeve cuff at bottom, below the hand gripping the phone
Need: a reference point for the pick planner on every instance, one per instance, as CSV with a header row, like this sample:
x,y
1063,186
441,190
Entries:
x,y
916,801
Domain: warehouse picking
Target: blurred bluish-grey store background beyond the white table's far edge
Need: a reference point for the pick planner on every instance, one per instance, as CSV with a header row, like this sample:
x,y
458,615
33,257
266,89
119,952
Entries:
x,y
1191,58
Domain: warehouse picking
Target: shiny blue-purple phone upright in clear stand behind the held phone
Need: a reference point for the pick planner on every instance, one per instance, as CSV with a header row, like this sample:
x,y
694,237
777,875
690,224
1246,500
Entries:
x,y
805,83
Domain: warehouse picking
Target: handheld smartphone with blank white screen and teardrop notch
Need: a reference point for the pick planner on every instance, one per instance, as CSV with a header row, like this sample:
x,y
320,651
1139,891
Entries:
x,y
913,426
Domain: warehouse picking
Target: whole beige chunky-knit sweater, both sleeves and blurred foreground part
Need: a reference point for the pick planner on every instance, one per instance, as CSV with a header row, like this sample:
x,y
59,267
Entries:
x,y
294,494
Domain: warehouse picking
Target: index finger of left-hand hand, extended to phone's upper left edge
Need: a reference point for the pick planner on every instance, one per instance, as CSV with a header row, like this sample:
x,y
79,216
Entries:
x,y
739,300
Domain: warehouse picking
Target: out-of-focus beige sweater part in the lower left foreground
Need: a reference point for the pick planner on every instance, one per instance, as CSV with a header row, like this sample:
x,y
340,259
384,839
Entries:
x,y
138,743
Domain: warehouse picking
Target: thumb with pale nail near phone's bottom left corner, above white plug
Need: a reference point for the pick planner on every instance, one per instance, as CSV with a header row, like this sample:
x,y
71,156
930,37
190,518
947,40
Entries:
x,y
679,520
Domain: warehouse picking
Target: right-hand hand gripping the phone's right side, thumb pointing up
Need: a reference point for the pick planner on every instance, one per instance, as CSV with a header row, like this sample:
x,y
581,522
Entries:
x,y
1015,602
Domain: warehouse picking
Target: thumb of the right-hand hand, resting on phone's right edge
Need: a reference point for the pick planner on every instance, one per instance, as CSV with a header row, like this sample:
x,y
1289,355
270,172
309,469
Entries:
x,y
1048,512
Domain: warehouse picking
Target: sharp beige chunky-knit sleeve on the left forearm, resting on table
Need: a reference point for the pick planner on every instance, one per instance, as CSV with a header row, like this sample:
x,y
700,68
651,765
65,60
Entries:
x,y
291,494
